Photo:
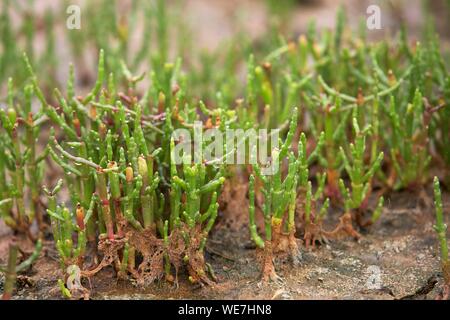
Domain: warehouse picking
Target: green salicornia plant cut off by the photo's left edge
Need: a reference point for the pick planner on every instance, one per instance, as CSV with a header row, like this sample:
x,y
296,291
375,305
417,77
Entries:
x,y
20,164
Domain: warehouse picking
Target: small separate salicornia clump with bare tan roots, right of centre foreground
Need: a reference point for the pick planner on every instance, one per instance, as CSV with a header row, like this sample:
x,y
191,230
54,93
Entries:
x,y
278,209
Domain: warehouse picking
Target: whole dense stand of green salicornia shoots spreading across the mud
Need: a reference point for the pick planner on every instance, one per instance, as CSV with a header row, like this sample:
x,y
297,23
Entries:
x,y
369,118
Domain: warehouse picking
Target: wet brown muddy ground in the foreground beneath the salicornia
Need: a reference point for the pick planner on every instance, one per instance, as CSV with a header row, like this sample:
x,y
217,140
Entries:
x,y
402,246
